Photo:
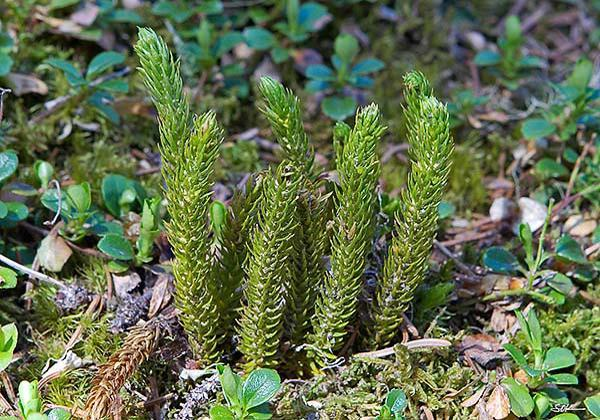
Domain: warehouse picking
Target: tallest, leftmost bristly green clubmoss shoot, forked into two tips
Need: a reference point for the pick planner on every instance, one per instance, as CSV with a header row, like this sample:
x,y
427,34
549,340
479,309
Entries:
x,y
189,147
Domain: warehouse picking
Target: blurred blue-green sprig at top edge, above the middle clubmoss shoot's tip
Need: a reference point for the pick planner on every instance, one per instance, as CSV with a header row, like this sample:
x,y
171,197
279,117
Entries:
x,y
301,20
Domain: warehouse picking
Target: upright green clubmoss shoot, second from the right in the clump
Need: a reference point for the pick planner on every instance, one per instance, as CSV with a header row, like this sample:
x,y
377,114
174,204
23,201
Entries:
x,y
354,220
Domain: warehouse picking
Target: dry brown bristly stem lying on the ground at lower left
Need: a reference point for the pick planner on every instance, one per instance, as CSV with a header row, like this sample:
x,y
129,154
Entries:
x,y
139,345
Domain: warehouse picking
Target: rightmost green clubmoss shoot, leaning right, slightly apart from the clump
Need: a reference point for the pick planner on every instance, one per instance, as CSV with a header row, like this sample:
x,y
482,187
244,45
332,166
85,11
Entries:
x,y
416,223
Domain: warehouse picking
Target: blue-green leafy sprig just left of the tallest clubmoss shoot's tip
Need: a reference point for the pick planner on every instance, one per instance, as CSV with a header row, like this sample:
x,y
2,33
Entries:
x,y
95,88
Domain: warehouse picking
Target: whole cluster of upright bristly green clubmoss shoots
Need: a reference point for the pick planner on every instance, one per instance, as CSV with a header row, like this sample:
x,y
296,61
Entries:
x,y
282,266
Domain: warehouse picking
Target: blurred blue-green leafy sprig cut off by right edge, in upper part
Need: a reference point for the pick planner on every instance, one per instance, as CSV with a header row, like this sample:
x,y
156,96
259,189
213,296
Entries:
x,y
574,104
